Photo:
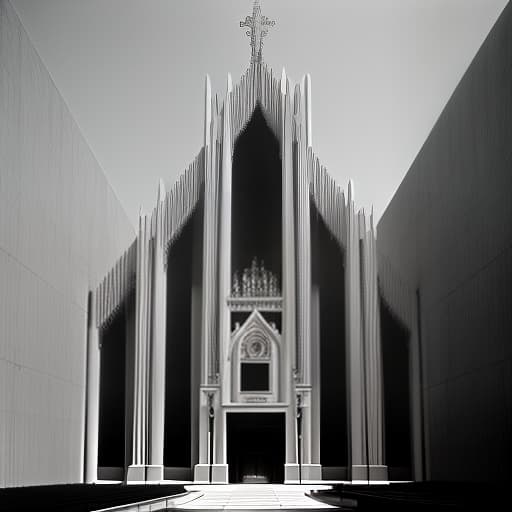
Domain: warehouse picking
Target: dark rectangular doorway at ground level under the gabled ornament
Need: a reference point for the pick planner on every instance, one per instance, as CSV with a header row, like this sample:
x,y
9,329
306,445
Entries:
x,y
256,447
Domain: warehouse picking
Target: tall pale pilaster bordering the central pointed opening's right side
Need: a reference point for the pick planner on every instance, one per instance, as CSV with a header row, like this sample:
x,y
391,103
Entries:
x,y
288,278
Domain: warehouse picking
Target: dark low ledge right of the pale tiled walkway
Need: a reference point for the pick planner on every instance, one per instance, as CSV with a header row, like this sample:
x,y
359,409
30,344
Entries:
x,y
423,496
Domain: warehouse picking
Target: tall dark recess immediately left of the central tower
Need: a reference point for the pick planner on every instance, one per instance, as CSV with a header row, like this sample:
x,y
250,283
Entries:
x,y
178,368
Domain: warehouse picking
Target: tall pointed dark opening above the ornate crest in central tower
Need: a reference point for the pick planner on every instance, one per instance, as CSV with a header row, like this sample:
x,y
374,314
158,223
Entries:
x,y
256,197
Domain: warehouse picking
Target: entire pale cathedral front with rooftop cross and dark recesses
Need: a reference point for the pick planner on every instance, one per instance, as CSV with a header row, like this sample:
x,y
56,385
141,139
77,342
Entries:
x,y
238,338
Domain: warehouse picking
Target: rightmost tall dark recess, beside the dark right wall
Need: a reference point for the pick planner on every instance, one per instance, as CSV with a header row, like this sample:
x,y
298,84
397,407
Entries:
x,y
397,410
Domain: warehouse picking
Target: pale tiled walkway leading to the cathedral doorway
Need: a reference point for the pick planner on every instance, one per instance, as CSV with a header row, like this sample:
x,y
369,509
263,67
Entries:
x,y
254,496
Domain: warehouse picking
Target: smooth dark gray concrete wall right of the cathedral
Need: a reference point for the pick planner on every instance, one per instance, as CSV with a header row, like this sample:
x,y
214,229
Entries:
x,y
448,233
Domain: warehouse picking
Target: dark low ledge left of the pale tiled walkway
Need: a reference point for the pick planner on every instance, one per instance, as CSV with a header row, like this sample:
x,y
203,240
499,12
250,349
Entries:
x,y
79,497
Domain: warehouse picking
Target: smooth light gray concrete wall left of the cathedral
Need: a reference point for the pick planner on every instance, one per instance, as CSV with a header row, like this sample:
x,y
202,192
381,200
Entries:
x,y
61,228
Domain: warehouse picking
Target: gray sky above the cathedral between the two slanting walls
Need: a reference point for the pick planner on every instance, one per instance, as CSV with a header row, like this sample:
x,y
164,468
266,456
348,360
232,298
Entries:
x,y
132,73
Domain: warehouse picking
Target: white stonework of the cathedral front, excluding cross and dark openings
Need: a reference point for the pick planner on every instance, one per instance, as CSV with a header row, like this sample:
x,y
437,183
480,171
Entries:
x,y
223,350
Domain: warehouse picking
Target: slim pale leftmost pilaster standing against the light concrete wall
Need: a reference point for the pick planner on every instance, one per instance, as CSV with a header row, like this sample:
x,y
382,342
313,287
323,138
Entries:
x,y
93,386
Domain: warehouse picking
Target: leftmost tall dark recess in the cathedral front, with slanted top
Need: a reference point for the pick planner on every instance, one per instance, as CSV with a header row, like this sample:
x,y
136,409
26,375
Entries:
x,y
111,429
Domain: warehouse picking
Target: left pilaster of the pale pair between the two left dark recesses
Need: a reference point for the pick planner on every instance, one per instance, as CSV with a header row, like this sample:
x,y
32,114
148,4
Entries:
x,y
137,469
